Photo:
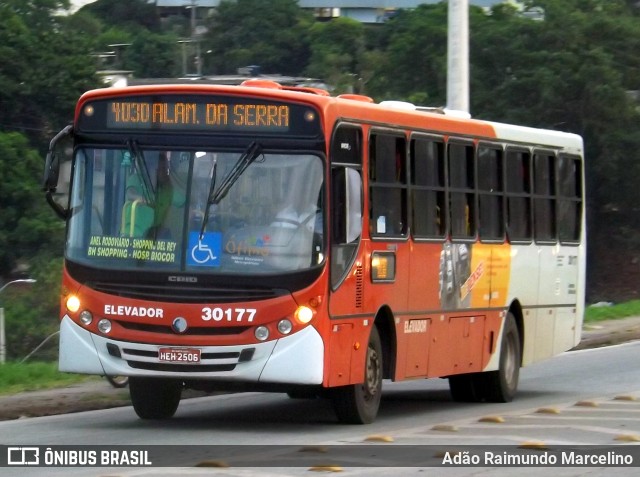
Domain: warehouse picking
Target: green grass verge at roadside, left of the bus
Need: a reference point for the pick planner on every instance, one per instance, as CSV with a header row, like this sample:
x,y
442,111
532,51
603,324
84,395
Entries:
x,y
16,377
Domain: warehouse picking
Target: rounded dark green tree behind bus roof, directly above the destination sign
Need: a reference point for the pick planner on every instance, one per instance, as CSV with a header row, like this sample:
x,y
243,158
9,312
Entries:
x,y
270,33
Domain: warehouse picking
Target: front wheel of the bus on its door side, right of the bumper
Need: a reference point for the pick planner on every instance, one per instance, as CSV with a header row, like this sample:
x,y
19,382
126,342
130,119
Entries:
x,y
359,403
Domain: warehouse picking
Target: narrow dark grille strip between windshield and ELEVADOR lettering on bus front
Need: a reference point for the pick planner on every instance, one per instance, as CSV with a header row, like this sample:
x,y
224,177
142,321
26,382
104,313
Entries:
x,y
186,294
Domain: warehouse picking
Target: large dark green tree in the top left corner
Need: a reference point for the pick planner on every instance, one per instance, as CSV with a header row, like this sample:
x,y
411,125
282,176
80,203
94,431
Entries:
x,y
44,68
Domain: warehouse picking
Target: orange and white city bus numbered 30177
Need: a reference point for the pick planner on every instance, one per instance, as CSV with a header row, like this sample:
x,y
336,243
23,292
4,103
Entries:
x,y
263,237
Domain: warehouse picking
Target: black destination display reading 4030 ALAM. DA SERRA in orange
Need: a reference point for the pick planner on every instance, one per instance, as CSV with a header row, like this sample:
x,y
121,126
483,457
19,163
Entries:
x,y
198,113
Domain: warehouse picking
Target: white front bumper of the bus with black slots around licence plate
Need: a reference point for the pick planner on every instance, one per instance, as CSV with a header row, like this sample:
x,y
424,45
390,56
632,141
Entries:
x,y
294,359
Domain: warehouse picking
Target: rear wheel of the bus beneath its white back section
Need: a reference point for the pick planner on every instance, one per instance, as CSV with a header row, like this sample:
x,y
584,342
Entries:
x,y
501,385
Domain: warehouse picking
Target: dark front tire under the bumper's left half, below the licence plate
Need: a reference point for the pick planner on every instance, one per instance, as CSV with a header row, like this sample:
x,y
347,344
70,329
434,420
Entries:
x,y
154,398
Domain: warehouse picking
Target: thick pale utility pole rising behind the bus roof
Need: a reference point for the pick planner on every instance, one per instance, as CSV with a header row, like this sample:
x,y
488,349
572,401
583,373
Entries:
x,y
458,56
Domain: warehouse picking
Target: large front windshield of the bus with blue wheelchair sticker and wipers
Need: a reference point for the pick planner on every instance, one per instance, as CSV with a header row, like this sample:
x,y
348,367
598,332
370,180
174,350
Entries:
x,y
137,208
